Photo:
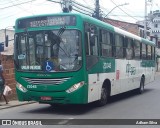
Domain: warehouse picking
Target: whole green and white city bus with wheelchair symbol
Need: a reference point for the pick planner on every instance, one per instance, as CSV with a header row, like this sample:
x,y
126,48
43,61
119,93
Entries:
x,y
70,58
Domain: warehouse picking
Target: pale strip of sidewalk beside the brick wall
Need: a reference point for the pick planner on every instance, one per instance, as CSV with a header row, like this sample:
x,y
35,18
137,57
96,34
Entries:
x,y
13,103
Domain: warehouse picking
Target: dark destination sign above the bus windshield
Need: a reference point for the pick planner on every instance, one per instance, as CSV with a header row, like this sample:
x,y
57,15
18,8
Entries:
x,y
47,21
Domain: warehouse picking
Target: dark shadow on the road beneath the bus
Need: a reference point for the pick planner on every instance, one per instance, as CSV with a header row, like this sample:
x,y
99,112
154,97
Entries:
x,y
83,109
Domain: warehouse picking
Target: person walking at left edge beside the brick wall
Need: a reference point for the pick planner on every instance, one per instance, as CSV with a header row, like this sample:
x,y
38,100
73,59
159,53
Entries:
x,y
2,84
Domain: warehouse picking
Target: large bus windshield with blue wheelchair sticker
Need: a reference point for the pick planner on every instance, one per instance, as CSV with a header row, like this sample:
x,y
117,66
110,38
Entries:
x,y
51,50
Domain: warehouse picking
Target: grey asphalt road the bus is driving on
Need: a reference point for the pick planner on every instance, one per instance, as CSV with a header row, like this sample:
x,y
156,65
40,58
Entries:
x,y
125,106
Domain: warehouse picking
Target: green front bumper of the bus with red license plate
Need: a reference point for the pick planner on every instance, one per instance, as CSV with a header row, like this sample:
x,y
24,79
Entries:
x,y
77,97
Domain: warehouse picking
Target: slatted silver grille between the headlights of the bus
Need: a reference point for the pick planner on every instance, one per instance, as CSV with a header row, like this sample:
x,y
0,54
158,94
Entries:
x,y
45,81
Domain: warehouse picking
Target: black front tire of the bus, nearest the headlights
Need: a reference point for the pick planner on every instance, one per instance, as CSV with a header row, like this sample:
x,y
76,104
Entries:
x,y
104,97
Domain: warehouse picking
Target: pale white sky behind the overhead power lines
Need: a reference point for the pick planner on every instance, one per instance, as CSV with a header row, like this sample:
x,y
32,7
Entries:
x,y
134,11
